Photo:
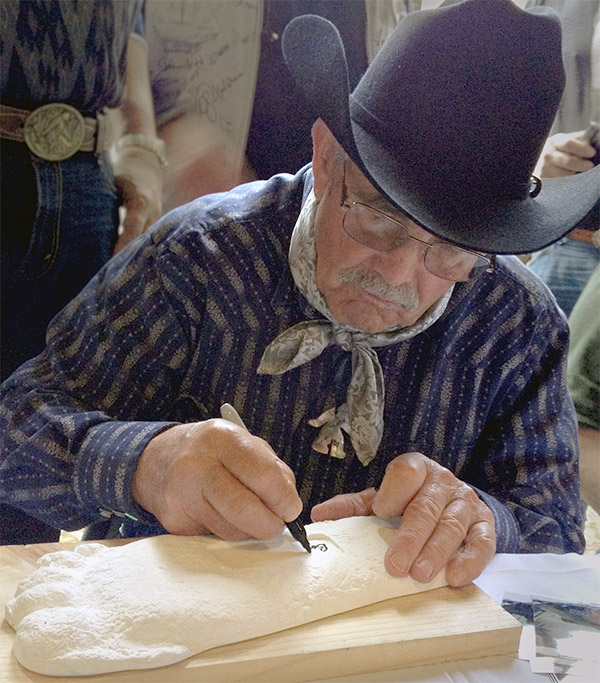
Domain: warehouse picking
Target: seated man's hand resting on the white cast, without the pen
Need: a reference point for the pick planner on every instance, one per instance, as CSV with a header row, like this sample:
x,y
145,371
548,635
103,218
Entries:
x,y
444,522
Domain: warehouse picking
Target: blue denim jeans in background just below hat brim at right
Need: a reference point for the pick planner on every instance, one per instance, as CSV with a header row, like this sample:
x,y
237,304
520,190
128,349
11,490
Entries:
x,y
565,267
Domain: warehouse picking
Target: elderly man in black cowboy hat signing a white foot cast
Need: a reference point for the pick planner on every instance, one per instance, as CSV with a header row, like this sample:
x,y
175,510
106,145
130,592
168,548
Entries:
x,y
384,361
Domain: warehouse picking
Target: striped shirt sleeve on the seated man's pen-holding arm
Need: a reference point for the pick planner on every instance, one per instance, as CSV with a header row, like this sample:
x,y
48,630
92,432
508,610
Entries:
x,y
76,419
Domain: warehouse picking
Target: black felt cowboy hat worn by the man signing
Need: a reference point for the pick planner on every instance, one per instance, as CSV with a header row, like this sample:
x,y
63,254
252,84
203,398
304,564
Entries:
x,y
450,118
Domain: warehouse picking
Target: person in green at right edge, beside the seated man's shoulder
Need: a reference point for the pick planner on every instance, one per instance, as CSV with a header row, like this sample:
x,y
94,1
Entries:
x,y
583,375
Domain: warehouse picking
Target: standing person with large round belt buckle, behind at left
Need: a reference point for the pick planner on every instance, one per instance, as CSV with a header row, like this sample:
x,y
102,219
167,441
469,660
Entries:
x,y
63,64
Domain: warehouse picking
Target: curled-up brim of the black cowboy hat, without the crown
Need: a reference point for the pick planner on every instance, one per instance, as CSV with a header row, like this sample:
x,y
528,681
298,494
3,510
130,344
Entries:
x,y
315,54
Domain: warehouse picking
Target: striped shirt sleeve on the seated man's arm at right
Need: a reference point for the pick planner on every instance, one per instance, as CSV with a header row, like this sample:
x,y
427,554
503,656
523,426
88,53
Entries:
x,y
525,464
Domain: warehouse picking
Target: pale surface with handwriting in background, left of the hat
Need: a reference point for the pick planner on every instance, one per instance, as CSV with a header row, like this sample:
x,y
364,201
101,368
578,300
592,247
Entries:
x,y
203,59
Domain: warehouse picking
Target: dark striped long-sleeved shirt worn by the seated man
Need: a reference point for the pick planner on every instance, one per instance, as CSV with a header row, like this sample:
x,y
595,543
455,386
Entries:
x,y
176,325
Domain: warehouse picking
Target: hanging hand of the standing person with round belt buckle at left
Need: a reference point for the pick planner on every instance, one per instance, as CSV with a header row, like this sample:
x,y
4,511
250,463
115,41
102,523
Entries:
x,y
138,176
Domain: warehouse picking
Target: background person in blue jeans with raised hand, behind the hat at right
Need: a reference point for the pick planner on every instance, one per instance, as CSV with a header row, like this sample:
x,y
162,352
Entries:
x,y
566,265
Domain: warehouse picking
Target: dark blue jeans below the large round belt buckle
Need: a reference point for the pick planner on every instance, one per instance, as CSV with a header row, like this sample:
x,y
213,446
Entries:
x,y
59,226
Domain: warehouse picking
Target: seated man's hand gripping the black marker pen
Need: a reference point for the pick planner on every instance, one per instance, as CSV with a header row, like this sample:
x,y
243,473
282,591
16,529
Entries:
x,y
215,477
